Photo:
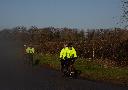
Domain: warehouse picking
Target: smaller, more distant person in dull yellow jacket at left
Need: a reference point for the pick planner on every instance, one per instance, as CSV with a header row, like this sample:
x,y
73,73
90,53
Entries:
x,y
30,52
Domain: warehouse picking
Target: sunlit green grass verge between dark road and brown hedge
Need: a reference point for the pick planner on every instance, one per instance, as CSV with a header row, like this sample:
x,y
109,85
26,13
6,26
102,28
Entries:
x,y
90,69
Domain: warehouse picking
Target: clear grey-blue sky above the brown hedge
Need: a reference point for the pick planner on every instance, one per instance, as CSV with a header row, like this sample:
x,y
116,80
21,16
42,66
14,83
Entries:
x,y
59,13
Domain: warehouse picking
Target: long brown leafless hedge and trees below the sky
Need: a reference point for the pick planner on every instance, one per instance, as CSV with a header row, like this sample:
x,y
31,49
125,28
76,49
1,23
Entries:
x,y
102,44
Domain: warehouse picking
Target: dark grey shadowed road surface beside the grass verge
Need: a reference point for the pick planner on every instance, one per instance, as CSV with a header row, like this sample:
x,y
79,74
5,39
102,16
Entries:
x,y
15,75
